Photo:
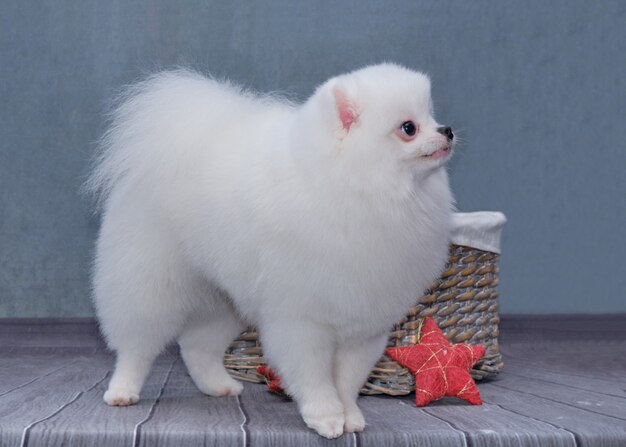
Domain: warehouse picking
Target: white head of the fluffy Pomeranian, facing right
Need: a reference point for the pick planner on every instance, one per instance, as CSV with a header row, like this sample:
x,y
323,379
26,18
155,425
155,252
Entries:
x,y
379,121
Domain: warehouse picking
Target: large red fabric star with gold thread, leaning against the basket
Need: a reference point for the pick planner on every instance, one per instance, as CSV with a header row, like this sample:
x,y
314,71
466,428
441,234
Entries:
x,y
440,368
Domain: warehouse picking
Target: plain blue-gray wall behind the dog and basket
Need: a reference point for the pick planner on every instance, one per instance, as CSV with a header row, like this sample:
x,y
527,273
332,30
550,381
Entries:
x,y
536,90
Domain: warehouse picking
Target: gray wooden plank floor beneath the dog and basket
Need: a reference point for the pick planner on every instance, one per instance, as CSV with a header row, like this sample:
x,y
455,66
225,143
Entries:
x,y
564,384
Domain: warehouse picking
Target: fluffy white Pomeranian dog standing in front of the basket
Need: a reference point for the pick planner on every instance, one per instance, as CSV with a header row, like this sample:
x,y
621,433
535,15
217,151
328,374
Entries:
x,y
317,223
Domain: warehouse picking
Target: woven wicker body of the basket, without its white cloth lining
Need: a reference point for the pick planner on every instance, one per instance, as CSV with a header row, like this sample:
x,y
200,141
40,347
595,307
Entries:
x,y
463,302
